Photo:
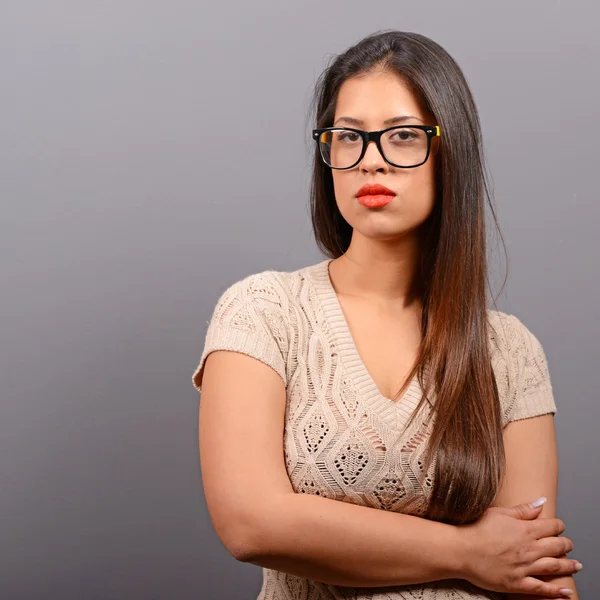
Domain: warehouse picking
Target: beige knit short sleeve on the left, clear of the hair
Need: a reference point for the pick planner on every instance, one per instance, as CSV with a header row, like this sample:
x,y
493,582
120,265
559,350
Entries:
x,y
249,318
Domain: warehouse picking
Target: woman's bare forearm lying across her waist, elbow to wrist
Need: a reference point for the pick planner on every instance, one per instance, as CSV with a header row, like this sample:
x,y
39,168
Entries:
x,y
350,545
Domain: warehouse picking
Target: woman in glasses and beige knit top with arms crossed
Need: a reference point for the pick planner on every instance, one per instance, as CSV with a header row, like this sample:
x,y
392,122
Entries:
x,y
369,428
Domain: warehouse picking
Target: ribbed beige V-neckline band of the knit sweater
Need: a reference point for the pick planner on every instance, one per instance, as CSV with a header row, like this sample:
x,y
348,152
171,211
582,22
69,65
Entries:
x,y
394,412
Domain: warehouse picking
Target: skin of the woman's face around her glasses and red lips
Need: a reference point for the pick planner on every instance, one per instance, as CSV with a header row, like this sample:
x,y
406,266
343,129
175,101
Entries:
x,y
372,99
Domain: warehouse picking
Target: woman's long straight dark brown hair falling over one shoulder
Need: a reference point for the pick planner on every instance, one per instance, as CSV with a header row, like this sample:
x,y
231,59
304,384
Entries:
x,y
467,430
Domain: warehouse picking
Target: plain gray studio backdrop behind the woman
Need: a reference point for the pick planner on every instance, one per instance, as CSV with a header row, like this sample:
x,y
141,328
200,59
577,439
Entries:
x,y
155,152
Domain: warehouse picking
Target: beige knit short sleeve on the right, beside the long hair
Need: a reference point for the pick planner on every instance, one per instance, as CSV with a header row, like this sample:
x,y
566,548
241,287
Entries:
x,y
530,388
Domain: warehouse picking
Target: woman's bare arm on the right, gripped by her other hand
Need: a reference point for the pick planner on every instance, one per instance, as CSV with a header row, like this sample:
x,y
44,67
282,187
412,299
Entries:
x,y
532,471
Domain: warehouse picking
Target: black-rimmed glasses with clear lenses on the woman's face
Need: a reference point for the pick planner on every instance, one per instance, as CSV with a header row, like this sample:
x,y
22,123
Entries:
x,y
404,146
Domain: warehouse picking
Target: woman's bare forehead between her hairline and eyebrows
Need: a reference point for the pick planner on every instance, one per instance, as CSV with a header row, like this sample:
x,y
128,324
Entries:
x,y
377,96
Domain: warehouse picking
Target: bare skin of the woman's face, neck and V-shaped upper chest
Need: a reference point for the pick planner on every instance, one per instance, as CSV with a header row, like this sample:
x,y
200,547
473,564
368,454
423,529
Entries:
x,y
374,278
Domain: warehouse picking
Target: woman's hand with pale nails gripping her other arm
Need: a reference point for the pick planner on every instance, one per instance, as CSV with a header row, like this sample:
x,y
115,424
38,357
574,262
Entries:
x,y
507,547
